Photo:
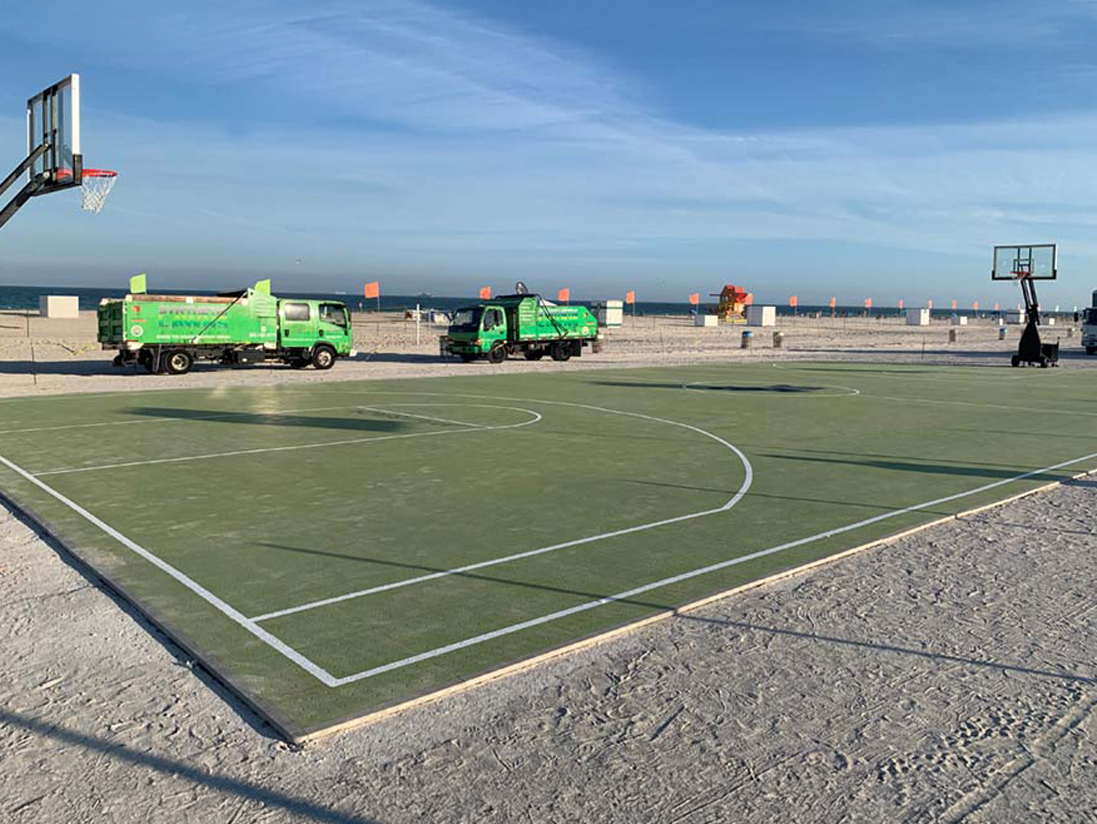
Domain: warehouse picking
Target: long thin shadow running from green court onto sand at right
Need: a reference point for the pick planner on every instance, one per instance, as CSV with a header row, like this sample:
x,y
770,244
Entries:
x,y
867,646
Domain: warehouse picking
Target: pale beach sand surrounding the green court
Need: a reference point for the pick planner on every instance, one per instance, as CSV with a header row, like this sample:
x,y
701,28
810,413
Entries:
x,y
947,676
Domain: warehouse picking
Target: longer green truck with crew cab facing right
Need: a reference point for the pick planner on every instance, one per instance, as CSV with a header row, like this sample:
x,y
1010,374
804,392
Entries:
x,y
169,333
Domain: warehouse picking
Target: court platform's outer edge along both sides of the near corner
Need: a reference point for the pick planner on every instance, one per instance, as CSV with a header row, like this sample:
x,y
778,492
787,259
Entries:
x,y
298,736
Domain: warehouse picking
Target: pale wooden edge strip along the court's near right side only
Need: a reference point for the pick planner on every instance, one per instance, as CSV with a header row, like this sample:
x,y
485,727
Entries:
x,y
515,669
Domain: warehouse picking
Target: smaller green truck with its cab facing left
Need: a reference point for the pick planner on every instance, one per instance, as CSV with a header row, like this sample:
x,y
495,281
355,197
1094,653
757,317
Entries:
x,y
525,324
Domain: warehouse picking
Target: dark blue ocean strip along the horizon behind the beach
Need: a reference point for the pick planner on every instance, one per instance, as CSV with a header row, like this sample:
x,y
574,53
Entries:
x,y
27,299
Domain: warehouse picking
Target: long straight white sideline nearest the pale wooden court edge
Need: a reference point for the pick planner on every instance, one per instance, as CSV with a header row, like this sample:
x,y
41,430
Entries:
x,y
684,577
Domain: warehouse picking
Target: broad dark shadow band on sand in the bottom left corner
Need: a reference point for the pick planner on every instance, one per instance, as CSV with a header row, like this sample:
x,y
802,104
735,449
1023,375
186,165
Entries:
x,y
111,750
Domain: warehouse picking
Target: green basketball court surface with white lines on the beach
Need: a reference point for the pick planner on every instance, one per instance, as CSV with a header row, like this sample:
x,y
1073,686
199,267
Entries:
x,y
333,550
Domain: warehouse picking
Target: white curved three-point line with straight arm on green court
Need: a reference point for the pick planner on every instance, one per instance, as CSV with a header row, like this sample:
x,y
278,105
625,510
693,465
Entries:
x,y
749,479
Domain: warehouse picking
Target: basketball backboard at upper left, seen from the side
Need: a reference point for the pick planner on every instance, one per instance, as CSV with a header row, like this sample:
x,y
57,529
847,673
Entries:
x,y
53,131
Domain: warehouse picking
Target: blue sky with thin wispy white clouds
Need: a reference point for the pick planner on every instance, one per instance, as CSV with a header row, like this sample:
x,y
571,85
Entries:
x,y
849,149
